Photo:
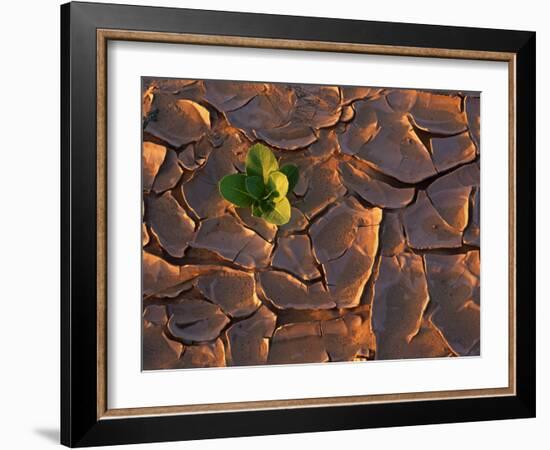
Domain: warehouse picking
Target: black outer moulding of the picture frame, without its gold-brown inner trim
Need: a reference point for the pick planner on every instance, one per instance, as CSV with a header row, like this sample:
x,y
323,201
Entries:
x,y
79,423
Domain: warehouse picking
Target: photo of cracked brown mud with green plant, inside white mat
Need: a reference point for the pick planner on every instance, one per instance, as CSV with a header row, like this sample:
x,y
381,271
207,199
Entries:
x,y
287,223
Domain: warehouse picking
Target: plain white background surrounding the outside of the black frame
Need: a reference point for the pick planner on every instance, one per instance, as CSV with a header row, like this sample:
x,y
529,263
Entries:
x,y
29,224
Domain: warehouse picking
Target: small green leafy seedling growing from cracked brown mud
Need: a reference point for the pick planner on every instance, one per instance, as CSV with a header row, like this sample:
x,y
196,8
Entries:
x,y
263,188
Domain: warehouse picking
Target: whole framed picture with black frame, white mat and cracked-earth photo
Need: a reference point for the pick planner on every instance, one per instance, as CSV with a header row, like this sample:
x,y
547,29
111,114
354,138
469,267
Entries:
x,y
276,224
